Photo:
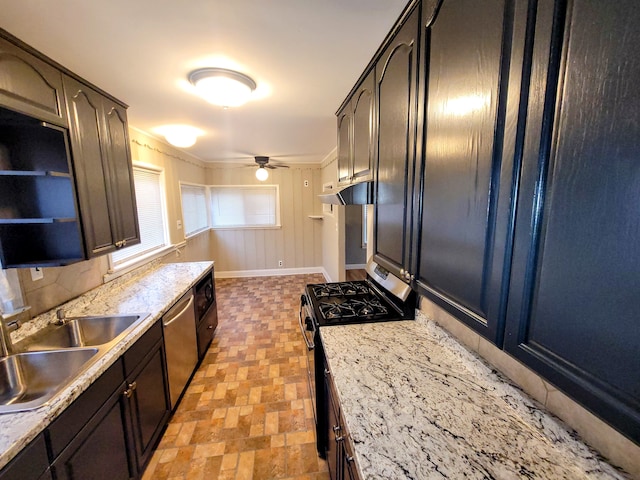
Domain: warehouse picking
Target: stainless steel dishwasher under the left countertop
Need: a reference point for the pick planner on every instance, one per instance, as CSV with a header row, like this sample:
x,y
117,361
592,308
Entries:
x,y
180,344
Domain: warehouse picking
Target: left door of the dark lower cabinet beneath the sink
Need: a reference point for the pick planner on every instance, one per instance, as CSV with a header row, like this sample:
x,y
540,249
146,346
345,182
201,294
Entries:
x,y
102,449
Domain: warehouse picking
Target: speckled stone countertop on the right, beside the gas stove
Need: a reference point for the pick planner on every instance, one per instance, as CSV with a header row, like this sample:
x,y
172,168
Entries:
x,y
419,405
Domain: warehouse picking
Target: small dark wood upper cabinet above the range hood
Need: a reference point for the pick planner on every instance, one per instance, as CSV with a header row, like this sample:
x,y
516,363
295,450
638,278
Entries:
x,y
356,133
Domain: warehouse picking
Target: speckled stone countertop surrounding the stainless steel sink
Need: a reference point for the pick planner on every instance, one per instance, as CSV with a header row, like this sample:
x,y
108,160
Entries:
x,y
152,290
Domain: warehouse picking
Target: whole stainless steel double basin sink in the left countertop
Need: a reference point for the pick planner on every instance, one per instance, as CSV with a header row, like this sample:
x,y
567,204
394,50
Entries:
x,y
55,356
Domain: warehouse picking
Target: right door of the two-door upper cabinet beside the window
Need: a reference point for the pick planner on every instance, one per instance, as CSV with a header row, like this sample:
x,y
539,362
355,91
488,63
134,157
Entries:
x,y
121,174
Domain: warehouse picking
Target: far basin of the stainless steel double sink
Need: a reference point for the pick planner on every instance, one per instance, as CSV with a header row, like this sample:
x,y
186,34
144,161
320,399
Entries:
x,y
79,332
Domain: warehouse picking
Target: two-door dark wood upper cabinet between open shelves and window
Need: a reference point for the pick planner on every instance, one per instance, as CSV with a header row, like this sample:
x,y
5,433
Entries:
x,y
103,170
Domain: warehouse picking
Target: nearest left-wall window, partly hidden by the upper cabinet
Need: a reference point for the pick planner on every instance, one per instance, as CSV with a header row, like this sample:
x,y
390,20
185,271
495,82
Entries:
x,y
151,217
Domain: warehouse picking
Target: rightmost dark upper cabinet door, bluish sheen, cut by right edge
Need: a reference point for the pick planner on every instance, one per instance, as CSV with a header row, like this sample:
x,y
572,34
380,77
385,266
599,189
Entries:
x,y
574,303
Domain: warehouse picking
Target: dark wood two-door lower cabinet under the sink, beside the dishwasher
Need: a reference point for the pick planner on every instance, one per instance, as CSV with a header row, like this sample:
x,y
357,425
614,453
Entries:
x,y
110,431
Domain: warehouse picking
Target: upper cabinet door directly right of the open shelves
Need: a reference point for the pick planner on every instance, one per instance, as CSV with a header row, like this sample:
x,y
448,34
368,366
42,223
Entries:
x,y
92,173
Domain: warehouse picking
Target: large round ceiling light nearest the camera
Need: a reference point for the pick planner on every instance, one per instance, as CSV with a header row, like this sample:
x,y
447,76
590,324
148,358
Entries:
x,y
223,87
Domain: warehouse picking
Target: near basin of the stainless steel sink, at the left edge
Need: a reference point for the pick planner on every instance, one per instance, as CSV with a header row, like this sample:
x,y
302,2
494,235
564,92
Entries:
x,y
30,380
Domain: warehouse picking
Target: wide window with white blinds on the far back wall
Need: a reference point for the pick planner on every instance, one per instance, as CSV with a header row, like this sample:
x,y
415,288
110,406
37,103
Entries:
x,y
245,206
